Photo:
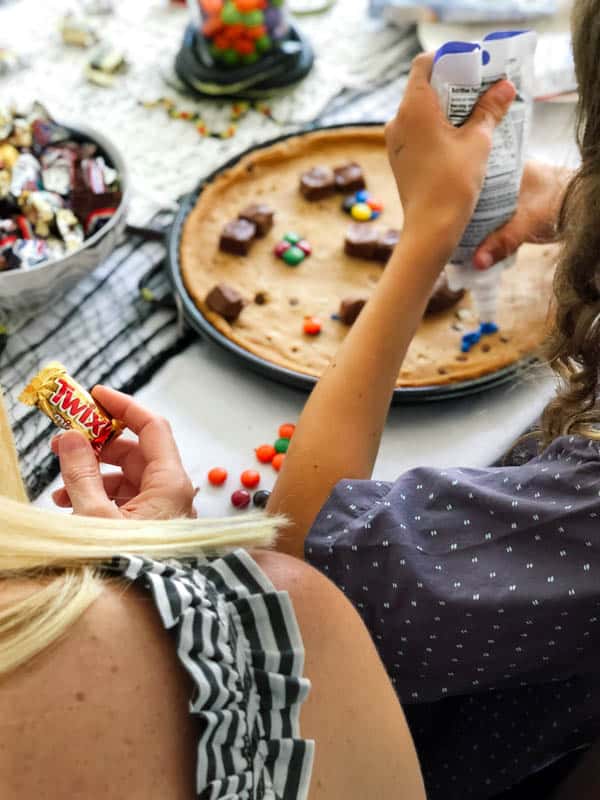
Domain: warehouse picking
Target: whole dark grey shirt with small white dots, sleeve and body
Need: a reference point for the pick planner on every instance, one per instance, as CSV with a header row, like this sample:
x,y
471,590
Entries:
x,y
481,589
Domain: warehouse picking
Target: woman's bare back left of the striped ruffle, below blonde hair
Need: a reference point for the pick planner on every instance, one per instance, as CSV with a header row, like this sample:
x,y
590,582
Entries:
x,y
102,713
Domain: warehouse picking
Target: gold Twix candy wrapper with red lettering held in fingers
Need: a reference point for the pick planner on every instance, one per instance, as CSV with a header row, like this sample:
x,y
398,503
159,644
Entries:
x,y
70,406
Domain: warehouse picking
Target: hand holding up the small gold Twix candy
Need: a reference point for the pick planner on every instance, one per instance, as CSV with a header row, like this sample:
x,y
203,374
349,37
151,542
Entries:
x,y
151,483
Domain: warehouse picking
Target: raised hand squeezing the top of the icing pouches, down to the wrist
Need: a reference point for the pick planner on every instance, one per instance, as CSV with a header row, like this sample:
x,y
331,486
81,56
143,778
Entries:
x,y
440,169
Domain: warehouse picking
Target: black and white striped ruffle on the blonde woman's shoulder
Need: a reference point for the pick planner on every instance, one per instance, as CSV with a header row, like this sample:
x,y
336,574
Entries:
x,y
239,640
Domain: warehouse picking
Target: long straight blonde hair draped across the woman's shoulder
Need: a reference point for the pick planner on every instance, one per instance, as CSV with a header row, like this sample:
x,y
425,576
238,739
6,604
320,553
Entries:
x,y
63,553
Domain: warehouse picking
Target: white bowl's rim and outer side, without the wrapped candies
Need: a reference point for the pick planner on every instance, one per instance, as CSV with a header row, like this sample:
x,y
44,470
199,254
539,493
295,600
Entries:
x,y
27,289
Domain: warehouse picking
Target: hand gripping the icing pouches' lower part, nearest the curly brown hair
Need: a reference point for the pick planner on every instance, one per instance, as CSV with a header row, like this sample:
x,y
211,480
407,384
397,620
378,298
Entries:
x,y
542,191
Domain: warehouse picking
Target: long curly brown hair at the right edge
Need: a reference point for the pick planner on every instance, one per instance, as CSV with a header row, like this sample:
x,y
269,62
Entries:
x,y
573,349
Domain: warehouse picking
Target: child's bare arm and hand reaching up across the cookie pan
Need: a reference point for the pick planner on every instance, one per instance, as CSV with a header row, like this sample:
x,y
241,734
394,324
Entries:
x,y
440,171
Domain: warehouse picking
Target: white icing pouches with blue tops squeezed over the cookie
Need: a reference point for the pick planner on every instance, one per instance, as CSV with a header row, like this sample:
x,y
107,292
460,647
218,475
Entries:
x,y
462,72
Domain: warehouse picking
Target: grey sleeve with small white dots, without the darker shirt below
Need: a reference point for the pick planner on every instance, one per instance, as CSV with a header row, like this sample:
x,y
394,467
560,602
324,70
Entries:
x,y
473,579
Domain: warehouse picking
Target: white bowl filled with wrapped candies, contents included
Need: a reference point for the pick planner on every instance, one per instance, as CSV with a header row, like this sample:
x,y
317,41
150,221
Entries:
x,y
63,201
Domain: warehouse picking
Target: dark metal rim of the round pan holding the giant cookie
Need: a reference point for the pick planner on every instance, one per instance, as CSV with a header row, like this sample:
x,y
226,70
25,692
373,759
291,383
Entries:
x,y
267,369
